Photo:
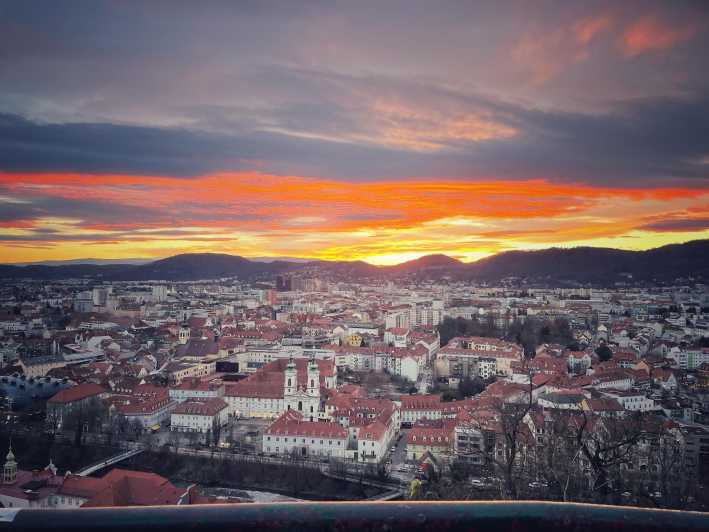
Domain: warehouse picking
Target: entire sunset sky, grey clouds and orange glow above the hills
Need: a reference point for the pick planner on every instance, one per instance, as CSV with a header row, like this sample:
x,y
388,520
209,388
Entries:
x,y
380,131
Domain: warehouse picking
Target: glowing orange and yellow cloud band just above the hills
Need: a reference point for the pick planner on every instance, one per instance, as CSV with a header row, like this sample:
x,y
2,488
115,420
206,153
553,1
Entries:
x,y
257,214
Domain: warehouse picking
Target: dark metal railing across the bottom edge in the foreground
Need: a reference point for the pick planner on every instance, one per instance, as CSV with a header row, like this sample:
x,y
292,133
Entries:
x,y
389,516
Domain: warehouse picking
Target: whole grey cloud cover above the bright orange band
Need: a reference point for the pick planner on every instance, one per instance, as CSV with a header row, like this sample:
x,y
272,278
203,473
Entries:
x,y
184,89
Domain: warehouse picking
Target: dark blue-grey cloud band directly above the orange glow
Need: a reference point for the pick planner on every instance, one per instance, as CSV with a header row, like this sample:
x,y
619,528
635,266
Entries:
x,y
646,142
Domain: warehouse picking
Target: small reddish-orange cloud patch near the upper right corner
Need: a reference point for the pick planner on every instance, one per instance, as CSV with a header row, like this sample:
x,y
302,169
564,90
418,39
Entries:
x,y
650,34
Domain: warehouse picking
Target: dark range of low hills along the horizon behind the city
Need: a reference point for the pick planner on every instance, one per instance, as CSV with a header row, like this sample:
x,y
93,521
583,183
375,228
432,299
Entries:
x,y
582,264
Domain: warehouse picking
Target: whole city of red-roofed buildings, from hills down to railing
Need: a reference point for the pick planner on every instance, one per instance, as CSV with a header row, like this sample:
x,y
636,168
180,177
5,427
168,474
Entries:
x,y
317,383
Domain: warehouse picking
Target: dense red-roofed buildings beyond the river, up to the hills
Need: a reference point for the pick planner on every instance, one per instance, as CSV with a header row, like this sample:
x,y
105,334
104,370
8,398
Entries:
x,y
498,382
